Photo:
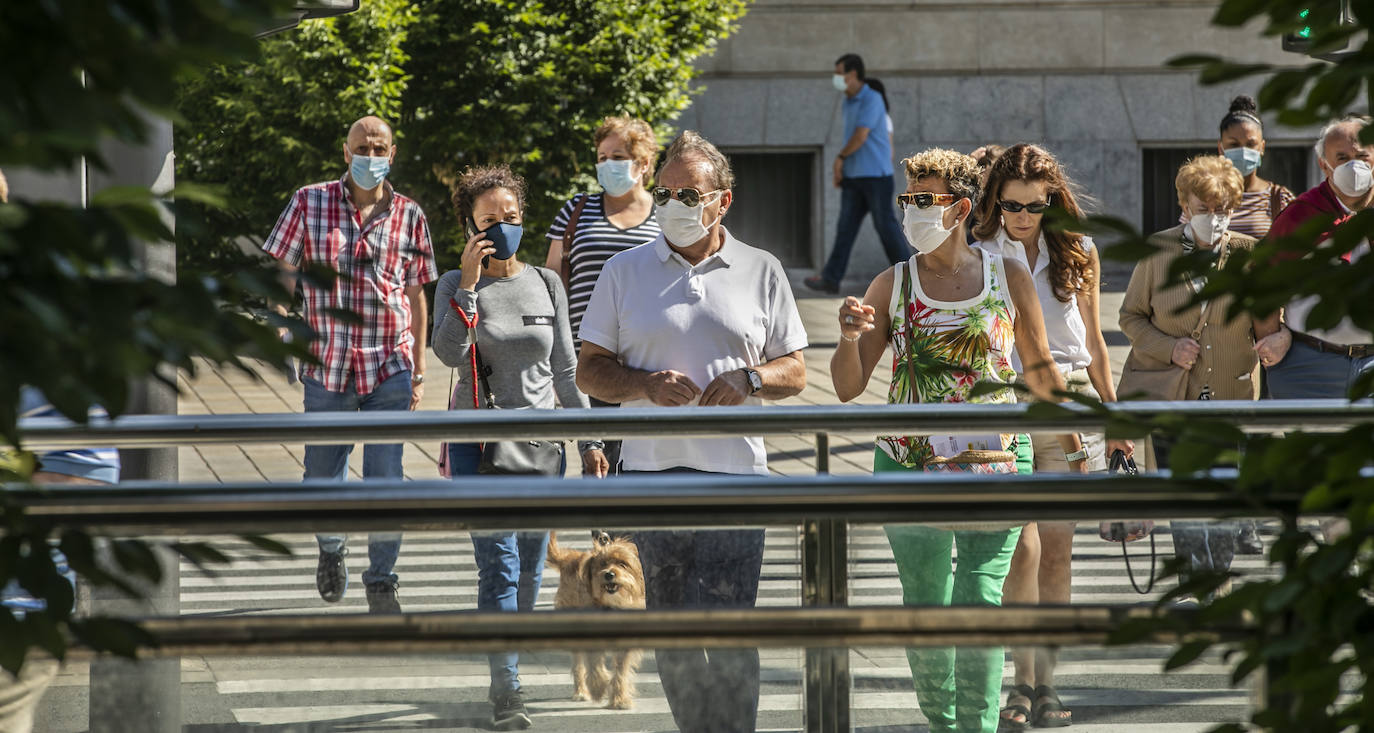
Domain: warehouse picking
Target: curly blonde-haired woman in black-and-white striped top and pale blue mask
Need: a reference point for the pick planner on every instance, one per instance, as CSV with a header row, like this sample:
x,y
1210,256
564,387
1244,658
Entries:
x,y
607,223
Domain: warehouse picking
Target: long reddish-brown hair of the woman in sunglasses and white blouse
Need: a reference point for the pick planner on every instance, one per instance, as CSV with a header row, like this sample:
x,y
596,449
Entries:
x,y
1071,272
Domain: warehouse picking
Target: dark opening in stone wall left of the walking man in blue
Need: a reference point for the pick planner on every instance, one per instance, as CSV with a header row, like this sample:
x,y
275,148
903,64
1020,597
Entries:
x,y
774,195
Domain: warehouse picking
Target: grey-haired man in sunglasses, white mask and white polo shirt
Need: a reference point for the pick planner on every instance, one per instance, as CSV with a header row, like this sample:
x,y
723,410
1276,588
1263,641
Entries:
x,y
696,318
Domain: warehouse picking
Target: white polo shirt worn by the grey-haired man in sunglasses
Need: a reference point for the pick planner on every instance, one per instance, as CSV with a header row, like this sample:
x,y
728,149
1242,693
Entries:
x,y
656,311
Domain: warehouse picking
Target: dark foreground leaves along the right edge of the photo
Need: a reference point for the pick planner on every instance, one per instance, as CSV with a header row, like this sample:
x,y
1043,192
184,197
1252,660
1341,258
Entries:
x,y
1313,625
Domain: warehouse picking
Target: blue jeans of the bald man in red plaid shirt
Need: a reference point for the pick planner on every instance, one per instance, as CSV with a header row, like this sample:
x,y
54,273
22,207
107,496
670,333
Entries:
x,y
379,463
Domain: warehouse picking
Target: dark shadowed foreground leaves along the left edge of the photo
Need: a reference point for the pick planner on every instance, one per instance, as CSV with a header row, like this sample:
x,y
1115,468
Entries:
x,y
79,317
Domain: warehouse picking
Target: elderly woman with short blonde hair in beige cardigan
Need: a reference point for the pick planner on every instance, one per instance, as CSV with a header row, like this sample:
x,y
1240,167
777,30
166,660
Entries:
x,y
1197,353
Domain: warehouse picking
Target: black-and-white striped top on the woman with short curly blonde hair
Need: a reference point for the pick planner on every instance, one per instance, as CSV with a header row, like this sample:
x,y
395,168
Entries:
x,y
594,243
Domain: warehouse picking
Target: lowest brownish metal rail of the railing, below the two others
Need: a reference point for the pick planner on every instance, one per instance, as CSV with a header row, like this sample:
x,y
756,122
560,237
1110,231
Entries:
x,y
466,632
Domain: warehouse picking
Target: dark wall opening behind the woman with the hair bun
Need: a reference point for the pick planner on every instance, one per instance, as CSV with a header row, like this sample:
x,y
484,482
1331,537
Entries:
x,y
1287,166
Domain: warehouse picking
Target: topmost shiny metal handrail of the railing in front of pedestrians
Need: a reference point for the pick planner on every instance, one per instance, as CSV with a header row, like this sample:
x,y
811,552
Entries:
x,y
479,426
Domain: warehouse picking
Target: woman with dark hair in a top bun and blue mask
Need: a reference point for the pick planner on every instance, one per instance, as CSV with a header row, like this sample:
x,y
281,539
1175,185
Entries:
x,y
1243,144
